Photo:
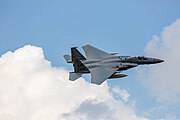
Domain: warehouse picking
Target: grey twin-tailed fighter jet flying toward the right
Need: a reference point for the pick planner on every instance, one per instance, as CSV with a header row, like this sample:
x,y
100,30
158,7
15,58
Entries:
x,y
102,65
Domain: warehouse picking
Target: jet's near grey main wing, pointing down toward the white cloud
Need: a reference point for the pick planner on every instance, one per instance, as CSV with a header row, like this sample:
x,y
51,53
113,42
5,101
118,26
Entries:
x,y
100,74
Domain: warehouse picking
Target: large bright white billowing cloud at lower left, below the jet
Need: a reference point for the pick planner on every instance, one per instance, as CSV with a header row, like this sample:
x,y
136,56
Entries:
x,y
31,89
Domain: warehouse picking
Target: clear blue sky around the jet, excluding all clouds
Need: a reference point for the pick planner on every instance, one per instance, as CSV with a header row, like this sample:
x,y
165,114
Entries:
x,y
123,26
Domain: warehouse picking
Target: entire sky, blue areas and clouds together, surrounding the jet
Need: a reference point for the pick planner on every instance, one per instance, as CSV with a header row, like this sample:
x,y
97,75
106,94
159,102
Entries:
x,y
34,35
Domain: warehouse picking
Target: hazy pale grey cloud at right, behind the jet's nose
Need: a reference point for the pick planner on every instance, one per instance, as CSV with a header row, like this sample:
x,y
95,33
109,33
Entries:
x,y
163,79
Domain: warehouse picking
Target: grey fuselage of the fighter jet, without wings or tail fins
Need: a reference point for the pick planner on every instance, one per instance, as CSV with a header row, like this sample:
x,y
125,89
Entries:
x,y
121,62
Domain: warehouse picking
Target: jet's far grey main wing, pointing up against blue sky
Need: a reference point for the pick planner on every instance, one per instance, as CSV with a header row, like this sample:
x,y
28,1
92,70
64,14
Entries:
x,y
95,53
